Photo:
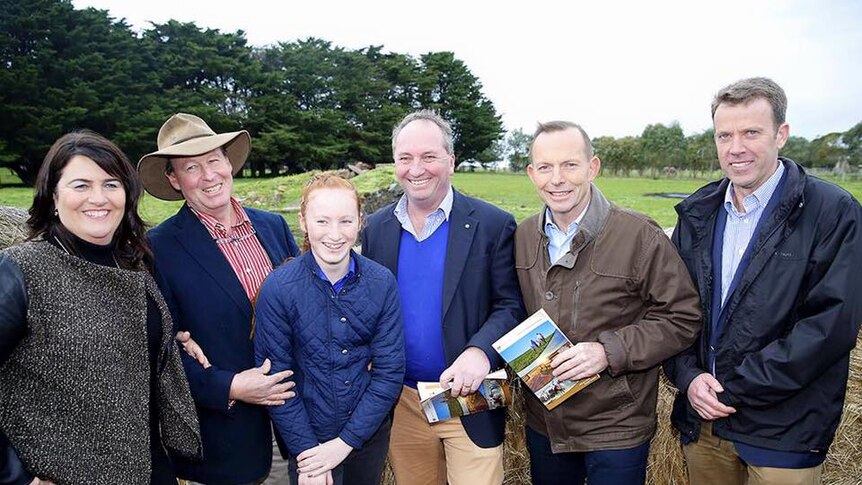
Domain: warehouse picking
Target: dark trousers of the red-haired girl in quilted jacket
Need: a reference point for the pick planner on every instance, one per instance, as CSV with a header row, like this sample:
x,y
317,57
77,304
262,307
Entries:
x,y
361,467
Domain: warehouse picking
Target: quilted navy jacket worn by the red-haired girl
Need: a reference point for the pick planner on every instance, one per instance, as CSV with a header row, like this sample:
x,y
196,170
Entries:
x,y
329,340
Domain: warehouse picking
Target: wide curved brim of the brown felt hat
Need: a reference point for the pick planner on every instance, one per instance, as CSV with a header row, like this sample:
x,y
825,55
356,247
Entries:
x,y
151,167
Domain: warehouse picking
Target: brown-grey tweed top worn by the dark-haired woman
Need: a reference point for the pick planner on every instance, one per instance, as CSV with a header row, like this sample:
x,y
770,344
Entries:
x,y
74,395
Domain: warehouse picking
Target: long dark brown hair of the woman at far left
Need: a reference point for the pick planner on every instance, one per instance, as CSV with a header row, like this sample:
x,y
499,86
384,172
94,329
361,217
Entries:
x,y
131,249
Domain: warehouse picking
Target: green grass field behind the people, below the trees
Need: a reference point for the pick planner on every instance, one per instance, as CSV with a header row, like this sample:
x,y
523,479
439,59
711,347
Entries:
x,y
511,192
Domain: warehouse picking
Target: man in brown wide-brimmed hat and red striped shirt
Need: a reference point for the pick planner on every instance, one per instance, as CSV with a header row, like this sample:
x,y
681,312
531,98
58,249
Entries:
x,y
211,258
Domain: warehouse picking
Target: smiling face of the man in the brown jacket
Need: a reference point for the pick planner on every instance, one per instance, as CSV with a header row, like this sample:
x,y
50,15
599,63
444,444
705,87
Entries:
x,y
562,170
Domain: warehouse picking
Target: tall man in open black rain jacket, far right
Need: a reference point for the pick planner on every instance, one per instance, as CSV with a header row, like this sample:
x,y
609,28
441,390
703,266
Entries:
x,y
775,254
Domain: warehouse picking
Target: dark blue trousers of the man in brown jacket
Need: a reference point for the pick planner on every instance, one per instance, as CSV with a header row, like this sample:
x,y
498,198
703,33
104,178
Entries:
x,y
604,467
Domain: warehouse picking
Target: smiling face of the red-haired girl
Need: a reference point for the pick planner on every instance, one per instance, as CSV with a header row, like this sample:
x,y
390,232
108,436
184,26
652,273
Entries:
x,y
331,220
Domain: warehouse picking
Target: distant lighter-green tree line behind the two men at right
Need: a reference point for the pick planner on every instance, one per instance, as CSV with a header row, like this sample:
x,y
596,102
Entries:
x,y
665,150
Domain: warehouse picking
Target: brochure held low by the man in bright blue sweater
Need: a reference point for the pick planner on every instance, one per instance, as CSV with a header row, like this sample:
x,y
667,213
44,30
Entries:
x,y
439,404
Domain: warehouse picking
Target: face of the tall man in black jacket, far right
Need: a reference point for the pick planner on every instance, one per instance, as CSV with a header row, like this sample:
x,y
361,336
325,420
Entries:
x,y
748,143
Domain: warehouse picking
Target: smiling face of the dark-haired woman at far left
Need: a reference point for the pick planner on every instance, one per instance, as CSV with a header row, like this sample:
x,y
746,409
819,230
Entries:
x,y
90,203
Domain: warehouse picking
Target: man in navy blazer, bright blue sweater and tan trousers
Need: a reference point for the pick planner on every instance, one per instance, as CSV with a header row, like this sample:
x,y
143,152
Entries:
x,y
453,258
